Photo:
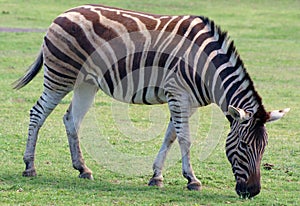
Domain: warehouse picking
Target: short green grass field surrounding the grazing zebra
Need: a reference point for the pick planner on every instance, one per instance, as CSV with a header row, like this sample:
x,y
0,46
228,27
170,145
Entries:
x,y
267,35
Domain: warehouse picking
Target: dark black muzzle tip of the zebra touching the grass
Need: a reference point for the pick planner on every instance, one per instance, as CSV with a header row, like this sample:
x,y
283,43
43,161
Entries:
x,y
245,190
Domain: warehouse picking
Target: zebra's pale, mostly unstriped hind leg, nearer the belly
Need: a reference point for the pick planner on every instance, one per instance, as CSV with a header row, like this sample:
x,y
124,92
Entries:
x,y
83,97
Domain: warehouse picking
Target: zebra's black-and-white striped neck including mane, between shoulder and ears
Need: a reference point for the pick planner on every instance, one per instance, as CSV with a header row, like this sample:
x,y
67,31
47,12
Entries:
x,y
224,75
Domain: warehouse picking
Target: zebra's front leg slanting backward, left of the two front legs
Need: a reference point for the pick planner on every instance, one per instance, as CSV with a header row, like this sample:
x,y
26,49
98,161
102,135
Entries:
x,y
170,136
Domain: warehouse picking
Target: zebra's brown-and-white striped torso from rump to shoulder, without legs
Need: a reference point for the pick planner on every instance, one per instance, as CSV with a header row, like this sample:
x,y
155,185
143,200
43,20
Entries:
x,y
129,55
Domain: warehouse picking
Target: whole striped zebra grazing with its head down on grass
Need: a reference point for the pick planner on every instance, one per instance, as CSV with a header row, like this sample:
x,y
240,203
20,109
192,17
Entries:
x,y
140,58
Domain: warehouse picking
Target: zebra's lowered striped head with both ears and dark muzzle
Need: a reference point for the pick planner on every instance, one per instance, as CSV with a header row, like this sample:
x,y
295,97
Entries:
x,y
245,146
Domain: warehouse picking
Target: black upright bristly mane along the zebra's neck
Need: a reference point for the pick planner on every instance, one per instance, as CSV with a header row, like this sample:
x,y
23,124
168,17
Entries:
x,y
223,36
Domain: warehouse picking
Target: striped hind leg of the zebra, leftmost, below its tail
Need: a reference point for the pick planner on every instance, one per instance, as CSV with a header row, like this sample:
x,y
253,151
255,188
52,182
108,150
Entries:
x,y
38,114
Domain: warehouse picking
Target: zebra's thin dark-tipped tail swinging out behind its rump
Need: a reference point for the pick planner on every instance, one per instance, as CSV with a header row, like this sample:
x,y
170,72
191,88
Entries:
x,y
31,72
